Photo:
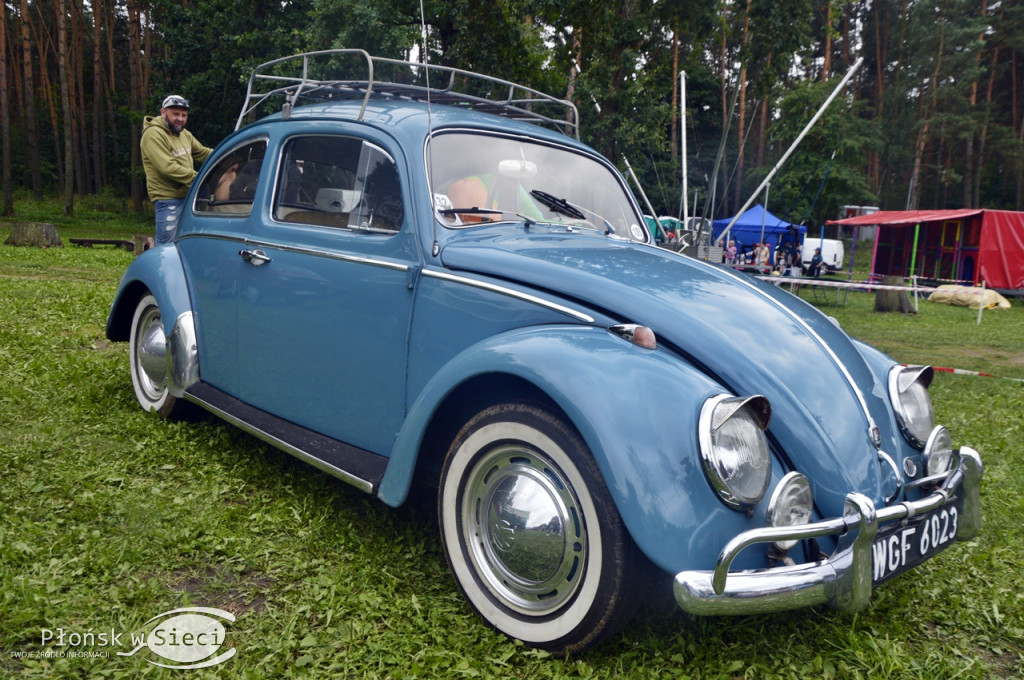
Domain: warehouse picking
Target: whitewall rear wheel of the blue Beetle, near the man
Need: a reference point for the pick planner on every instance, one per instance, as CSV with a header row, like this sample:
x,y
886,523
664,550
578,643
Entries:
x,y
148,351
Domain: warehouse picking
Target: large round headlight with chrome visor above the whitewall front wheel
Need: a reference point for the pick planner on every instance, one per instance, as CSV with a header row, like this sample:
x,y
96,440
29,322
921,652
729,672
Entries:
x,y
735,449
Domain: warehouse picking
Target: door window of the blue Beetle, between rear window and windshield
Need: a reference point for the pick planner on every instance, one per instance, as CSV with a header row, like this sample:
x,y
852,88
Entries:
x,y
339,182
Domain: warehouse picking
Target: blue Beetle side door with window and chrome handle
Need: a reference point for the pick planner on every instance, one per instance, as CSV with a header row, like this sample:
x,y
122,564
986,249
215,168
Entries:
x,y
325,294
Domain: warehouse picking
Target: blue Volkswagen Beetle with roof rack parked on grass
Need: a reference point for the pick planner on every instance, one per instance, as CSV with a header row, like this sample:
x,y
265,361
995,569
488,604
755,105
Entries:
x,y
404,281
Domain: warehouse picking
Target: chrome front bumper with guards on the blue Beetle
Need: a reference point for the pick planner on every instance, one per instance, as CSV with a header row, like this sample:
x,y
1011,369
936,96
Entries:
x,y
842,581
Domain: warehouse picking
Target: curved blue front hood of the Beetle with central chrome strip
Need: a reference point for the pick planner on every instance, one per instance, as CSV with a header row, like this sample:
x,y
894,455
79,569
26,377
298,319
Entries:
x,y
751,337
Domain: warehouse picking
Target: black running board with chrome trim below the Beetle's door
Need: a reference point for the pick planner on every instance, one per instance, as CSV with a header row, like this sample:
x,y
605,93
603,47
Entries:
x,y
358,467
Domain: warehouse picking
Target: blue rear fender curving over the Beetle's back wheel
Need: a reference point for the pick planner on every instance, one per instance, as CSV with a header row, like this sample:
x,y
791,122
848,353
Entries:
x,y
160,272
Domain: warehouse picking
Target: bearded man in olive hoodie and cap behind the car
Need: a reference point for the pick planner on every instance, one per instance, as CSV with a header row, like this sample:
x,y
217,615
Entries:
x,y
169,157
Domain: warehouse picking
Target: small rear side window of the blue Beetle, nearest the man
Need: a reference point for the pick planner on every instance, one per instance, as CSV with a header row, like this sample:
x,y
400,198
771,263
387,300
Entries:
x,y
230,187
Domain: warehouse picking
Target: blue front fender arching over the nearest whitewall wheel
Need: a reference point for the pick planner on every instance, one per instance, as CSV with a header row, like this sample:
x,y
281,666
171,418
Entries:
x,y
637,410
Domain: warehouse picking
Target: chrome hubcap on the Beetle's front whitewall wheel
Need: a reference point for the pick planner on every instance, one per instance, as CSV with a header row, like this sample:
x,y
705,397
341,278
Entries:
x,y
525,531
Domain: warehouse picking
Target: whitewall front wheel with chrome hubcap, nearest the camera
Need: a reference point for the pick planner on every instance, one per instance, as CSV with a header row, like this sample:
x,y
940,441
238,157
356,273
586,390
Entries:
x,y
532,534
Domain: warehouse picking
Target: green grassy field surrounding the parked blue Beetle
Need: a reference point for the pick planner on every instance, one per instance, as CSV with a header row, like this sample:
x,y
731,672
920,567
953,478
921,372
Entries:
x,y
110,517
